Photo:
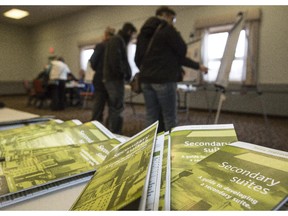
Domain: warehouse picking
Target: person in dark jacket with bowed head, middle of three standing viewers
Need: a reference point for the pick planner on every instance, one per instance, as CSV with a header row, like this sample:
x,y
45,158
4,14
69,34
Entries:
x,y
116,70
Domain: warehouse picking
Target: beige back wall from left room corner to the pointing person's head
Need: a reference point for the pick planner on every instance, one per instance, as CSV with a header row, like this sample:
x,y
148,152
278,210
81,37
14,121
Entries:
x,y
68,34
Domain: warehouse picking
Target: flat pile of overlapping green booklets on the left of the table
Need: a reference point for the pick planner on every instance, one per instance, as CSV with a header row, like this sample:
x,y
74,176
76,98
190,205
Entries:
x,y
40,158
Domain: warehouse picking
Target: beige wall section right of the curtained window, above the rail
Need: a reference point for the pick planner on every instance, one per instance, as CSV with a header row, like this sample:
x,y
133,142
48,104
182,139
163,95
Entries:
x,y
273,62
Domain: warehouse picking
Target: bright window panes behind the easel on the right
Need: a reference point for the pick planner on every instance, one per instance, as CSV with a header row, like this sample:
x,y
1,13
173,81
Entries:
x,y
215,45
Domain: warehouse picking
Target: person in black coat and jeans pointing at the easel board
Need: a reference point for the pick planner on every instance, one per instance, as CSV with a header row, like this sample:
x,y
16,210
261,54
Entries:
x,y
160,67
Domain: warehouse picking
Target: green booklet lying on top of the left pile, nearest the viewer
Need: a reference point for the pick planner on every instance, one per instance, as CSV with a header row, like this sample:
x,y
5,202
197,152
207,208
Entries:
x,y
25,171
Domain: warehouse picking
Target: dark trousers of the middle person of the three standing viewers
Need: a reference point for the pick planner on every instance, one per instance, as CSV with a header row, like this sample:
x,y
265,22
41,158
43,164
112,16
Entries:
x,y
115,90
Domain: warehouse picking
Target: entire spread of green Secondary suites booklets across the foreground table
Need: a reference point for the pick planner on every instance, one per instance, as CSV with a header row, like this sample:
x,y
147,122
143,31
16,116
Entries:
x,y
195,167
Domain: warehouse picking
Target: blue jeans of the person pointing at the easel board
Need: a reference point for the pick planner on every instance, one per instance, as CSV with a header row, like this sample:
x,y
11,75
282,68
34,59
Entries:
x,y
161,104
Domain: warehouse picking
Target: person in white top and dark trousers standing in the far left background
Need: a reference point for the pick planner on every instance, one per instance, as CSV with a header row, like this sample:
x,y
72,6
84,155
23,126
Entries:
x,y
57,78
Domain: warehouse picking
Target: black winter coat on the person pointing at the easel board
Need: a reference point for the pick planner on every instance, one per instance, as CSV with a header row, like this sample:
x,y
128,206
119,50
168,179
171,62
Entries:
x,y
163,62
